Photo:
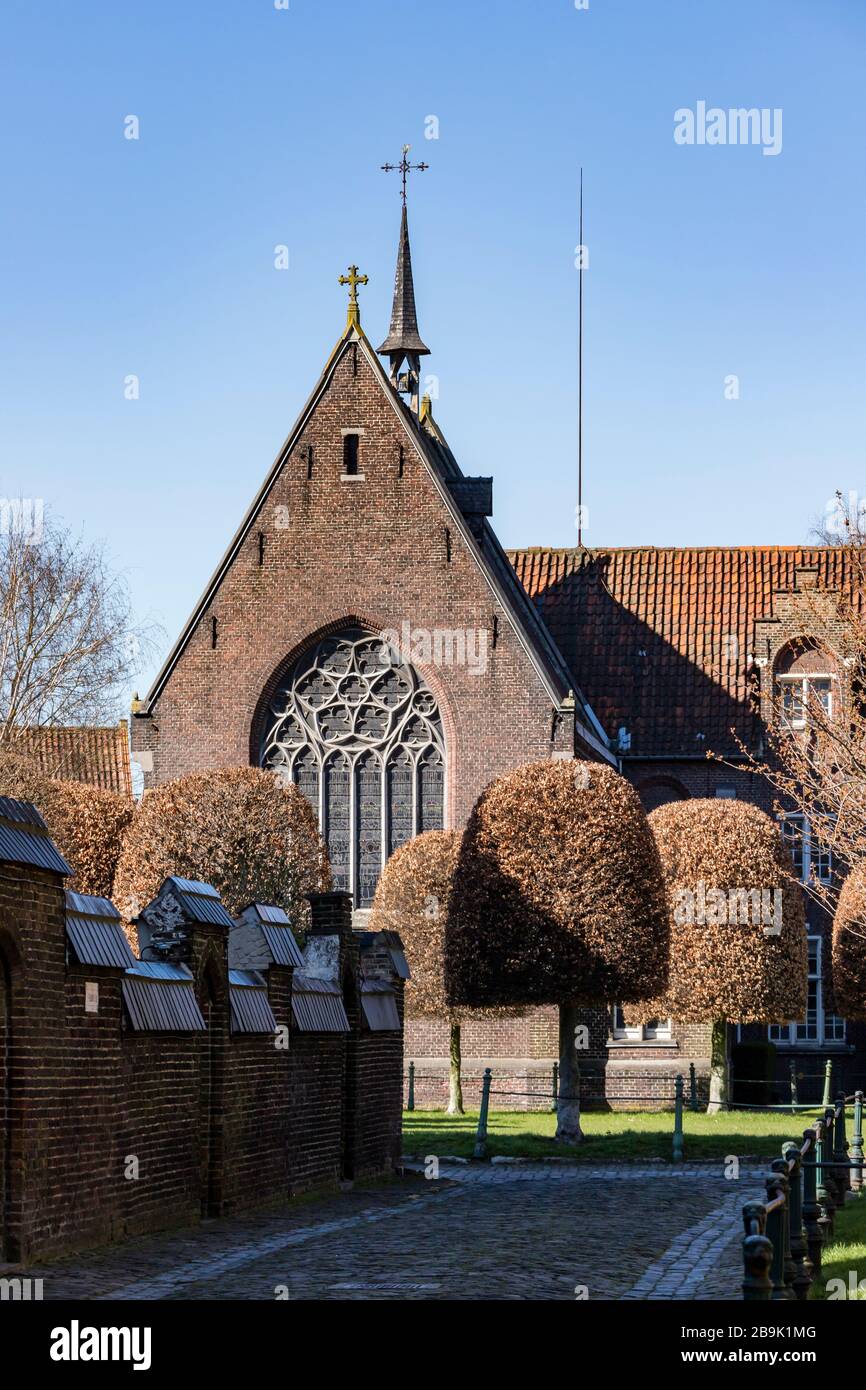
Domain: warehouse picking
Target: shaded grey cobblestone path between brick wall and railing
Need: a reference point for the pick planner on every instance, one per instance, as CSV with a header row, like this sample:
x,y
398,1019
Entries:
x,y
480,1232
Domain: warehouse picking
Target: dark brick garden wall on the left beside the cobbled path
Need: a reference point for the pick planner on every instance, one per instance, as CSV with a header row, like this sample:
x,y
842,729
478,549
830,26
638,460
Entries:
x,y
112,1132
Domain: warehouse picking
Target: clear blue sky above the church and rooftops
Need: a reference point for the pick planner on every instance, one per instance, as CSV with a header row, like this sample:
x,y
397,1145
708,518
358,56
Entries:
x,y
263,127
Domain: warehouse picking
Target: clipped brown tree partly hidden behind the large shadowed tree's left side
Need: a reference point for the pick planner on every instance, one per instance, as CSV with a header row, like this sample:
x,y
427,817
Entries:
x,y
414,897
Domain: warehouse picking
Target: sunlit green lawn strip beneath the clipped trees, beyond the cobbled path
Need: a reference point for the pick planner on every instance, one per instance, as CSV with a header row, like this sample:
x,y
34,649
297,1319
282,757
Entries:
x,y
610,1136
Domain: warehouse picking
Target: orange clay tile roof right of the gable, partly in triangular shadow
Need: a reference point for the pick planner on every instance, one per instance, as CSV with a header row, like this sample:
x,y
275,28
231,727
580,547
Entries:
x,y
661,639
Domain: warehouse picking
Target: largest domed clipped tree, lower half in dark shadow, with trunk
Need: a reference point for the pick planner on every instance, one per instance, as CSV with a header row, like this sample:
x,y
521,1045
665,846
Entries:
x,y
558,899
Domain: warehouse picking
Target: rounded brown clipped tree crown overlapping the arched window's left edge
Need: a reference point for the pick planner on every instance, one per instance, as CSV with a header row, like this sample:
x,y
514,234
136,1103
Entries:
x,y
238,829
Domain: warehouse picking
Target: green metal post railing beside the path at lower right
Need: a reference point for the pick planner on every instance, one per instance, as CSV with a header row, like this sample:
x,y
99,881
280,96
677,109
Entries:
x,y
786,1235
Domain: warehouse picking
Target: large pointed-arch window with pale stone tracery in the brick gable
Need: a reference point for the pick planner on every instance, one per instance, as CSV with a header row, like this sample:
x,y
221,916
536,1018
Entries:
x,y
359,733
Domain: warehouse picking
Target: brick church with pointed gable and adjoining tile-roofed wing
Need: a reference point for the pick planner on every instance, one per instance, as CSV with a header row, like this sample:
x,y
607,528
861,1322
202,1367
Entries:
x,y
644,658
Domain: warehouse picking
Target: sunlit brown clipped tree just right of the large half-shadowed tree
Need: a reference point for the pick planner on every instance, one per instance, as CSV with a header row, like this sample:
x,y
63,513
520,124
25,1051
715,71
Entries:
x,y
737,925
